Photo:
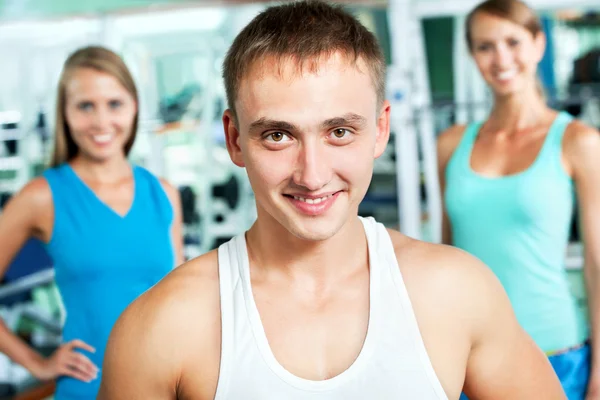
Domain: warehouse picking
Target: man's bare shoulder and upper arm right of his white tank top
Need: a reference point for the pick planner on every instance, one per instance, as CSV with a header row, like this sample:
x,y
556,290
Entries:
x,y
469,326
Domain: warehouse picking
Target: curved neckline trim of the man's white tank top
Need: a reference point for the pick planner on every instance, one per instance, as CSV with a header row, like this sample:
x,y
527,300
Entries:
x,y
261,339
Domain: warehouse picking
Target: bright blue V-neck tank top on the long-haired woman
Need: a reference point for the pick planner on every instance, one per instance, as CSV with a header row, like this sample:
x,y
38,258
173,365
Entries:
x,y
103,261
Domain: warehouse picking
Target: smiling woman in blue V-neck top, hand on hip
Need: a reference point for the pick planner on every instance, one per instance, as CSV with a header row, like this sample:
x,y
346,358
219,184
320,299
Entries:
x,y
112,229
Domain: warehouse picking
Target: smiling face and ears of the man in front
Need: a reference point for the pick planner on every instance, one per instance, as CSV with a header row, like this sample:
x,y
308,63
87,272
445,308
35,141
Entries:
x,y
308,140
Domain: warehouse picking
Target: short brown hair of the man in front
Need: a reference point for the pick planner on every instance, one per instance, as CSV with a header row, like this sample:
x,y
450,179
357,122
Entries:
x,y
302,31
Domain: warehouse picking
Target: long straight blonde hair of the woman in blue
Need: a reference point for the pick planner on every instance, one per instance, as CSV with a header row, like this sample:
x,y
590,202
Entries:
x,y
99,59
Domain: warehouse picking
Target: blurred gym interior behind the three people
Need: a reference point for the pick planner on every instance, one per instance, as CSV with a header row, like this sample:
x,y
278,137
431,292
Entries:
x,y
175,49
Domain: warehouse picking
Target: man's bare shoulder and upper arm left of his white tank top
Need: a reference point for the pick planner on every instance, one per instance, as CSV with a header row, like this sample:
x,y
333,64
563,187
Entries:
x,y
168,340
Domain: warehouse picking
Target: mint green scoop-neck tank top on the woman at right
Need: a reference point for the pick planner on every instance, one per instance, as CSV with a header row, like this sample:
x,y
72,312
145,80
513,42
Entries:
x,y
518,225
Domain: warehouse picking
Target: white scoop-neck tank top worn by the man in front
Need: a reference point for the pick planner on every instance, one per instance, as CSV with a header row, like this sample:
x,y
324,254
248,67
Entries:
x,y
393,363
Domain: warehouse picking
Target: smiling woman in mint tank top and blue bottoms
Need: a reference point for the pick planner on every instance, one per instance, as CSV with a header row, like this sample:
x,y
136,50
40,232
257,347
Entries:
x,y
510,184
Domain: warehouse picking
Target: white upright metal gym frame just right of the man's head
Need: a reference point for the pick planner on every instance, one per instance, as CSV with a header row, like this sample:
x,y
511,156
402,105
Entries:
x,y
407,90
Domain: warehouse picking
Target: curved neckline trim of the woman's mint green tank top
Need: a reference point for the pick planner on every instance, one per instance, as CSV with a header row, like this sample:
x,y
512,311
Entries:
x,y
473,132
